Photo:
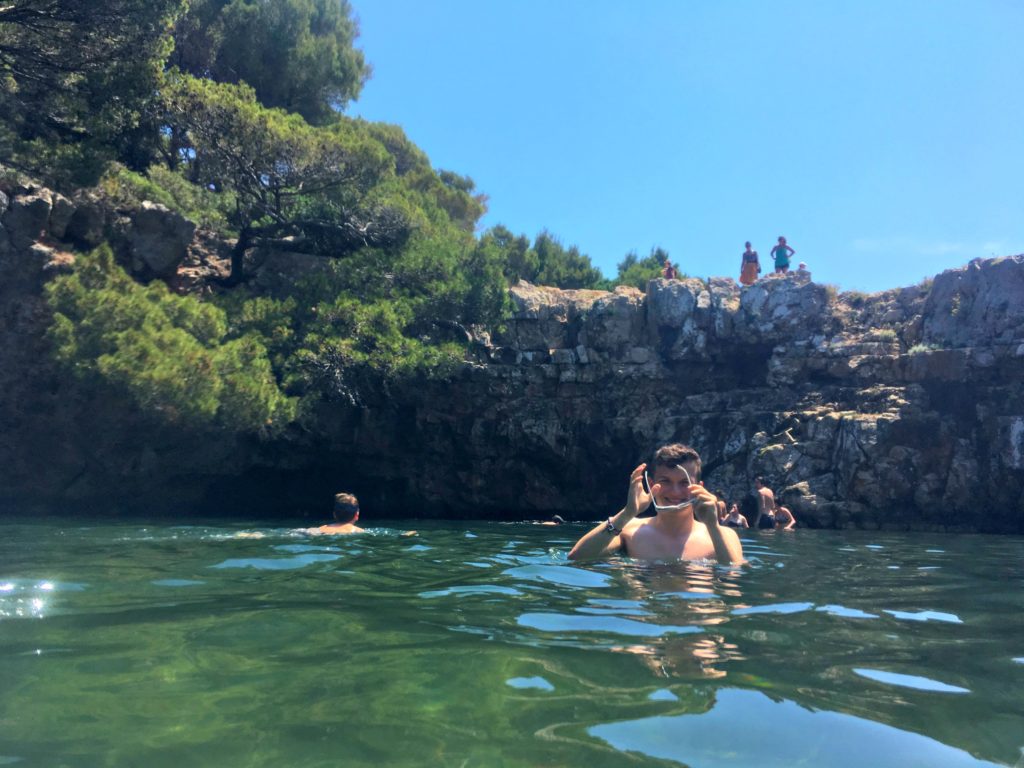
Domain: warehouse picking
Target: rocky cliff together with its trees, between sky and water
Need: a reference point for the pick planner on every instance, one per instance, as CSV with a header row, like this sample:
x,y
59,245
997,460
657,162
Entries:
x,y
219,288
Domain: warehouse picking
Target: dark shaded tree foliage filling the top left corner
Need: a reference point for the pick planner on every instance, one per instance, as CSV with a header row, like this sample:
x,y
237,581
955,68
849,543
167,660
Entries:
x,y
76,83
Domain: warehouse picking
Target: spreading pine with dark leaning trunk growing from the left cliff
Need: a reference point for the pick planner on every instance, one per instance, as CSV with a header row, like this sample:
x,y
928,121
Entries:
x,y
287,179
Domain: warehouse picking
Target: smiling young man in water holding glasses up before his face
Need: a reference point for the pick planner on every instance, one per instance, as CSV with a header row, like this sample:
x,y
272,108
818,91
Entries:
x,y
690,533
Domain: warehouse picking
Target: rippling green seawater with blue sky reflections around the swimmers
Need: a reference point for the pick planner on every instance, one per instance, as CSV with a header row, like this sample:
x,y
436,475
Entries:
x,y
480,645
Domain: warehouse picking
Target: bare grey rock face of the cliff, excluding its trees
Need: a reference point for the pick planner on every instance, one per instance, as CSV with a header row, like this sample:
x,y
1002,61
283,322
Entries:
x,y
904,409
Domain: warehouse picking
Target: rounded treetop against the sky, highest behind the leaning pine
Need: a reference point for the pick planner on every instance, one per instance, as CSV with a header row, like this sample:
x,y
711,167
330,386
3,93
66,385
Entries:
x,y
296,55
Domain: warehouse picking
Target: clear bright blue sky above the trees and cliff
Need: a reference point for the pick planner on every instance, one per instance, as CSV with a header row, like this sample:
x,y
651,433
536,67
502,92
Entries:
x,y
885,140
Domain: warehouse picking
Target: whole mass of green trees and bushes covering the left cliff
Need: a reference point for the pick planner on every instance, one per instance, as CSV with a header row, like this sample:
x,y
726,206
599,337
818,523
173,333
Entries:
x,y
253,148
